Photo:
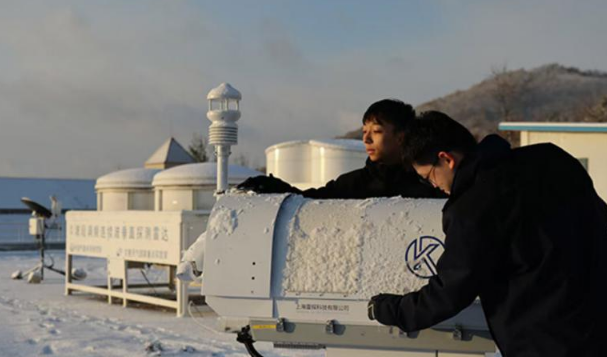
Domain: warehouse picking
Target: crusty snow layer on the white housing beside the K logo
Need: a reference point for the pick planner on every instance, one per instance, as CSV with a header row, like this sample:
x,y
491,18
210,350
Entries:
x,y
344,246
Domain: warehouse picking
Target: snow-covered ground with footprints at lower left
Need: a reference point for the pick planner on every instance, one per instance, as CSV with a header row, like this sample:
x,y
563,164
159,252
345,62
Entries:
x,y
39,320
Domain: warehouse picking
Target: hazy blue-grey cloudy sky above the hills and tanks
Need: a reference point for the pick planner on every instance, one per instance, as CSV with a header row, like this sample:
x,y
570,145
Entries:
x,y
89,87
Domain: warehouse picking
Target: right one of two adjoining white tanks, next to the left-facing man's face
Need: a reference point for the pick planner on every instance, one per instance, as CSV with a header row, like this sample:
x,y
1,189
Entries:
x,y
332,158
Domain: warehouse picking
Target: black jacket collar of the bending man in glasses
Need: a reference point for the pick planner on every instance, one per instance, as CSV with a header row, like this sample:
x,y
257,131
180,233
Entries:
x,y
489,151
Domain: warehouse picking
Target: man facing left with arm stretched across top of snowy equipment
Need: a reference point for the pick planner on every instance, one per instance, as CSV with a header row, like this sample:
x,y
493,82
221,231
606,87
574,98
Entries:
x,y
384,174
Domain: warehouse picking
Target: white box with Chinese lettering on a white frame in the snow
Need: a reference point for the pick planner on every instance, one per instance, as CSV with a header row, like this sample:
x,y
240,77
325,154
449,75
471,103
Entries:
x,y
130,239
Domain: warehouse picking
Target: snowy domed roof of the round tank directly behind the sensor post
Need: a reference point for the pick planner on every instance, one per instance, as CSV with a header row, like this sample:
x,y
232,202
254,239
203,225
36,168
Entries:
x,y
204,173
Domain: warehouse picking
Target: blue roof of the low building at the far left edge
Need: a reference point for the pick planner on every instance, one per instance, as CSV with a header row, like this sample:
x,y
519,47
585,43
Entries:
x,y
73,194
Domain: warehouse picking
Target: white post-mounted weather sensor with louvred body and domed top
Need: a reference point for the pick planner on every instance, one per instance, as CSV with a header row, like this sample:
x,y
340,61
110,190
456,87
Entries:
x,y
224,112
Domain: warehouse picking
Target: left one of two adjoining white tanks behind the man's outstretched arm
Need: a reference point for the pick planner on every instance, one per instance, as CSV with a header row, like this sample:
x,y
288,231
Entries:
x,y
290,161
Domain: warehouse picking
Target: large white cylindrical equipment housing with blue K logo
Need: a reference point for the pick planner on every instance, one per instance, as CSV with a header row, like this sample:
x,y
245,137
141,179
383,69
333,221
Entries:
x,y
300,273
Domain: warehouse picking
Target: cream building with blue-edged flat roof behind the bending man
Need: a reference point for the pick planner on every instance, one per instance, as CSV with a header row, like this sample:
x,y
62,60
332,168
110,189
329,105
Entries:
x,y
585,141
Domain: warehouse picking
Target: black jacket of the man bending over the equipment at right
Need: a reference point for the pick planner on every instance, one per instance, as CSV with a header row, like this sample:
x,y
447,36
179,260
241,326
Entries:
x,y
526,232
